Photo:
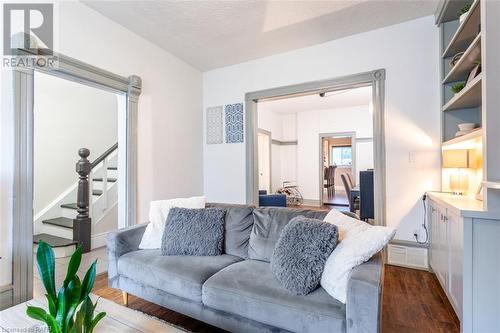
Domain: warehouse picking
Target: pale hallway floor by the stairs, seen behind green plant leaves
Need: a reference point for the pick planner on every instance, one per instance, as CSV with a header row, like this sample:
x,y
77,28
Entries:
x,y
62,265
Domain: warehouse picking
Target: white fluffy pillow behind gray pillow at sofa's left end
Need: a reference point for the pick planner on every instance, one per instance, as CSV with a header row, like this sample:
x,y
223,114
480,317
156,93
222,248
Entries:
x,y
158,212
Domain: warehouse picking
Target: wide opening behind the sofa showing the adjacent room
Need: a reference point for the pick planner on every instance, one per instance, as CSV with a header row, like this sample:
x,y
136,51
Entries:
x,y
336,171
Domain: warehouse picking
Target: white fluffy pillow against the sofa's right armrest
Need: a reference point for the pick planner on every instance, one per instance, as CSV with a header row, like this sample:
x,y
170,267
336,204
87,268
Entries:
x,y
358,242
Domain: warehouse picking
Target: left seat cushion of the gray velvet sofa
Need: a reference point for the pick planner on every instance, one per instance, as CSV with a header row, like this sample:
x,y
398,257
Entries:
x,y
181,276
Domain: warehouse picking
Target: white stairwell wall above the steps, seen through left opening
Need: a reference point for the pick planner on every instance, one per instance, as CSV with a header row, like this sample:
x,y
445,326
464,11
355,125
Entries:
x,y
68,116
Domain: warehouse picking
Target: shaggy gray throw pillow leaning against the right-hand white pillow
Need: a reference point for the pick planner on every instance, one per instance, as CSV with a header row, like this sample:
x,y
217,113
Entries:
x,y
301,252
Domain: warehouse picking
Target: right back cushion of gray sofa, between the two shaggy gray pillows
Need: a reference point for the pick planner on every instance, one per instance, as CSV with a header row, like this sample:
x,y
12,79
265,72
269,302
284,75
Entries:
x,y
267,227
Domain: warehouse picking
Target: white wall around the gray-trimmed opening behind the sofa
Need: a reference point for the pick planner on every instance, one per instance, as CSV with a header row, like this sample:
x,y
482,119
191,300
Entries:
x,y
407,52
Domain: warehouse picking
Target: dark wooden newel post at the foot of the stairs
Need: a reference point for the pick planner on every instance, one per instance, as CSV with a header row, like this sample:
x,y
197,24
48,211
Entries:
x,y
82,226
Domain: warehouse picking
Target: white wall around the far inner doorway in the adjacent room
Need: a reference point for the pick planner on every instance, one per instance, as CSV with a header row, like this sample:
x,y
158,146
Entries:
x,y
310,124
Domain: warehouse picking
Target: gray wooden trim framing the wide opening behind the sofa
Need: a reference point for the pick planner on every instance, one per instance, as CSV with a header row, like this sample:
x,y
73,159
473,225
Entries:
x,y
374,79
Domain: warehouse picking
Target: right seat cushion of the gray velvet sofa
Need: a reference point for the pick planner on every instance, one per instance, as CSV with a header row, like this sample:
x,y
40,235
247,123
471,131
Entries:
x,y
249,289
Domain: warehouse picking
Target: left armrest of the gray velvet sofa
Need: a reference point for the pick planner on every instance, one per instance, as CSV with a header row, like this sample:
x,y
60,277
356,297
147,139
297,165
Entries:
x,y
120,242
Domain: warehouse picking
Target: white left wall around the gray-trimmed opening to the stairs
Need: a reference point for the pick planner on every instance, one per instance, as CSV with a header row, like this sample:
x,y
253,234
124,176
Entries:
x,y
170,122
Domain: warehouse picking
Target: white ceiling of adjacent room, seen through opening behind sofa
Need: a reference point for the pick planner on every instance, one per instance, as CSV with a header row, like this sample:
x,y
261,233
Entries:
x,y
334,100
